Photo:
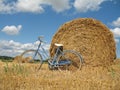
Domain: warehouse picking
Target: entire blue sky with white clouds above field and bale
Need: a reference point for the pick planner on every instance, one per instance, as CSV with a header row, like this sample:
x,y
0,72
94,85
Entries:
x,y
22,21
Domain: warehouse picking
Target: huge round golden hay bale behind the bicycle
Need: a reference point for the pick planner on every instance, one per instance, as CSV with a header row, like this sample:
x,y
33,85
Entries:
x,y
92,39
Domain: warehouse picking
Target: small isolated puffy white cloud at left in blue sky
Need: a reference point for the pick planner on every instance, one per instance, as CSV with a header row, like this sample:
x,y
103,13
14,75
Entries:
x,y
12,30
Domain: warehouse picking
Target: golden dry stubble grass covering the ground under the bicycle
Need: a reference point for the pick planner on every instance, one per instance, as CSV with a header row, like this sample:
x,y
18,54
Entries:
x,y
24,77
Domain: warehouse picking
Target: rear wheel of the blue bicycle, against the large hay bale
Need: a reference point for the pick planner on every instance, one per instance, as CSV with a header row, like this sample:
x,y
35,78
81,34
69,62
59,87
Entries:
x,y
74,57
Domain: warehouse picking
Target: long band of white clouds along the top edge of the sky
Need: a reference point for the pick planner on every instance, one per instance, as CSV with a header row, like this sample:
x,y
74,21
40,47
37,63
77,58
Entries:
x,y
38,6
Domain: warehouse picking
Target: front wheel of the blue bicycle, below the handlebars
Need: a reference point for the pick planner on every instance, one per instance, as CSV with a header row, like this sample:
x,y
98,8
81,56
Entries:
x,y
31,56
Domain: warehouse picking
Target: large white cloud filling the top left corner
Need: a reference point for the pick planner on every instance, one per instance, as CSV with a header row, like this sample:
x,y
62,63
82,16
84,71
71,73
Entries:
x,y
21,6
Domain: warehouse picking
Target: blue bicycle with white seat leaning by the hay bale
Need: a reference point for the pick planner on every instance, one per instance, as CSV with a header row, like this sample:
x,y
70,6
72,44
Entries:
x,y
62,59
